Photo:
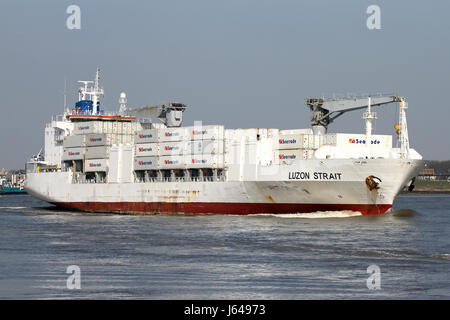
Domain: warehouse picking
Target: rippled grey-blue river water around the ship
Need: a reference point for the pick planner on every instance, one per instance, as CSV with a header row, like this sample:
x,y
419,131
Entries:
x,y
322,255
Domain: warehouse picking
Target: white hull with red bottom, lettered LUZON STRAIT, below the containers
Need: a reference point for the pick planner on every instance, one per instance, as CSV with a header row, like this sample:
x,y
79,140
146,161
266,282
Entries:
x,y
303,186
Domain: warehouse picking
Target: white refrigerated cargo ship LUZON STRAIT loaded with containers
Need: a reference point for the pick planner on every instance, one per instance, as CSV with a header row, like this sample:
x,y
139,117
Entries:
x,y
144,161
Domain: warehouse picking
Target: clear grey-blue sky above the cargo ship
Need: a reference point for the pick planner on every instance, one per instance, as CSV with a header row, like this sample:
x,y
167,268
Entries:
x,y
243,64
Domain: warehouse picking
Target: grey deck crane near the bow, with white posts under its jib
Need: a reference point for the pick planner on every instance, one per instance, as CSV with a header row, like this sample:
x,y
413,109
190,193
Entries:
x,y
325,111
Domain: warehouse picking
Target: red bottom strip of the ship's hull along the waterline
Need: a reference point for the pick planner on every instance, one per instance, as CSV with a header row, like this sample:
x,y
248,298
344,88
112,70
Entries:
x,y
219,208
